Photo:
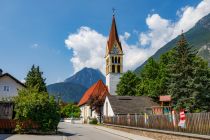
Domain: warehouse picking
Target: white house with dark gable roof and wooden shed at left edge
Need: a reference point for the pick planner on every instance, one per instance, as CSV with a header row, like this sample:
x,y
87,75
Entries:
x,y
9,87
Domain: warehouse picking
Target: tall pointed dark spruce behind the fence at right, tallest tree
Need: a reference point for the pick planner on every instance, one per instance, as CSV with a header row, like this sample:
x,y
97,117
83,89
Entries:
x,y
180,75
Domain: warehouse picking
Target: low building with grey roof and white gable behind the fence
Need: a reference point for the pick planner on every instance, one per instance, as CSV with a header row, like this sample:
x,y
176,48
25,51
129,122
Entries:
x,y
123,105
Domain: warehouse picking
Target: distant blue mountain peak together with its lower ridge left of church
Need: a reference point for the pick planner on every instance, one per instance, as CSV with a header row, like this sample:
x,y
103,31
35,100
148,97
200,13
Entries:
x,y
73,88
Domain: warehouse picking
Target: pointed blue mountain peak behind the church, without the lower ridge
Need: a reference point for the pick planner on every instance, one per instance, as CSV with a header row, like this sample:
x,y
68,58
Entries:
x,y
86,77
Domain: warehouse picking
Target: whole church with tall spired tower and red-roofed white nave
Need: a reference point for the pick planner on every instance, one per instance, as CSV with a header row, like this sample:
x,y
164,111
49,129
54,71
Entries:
x,y
114,69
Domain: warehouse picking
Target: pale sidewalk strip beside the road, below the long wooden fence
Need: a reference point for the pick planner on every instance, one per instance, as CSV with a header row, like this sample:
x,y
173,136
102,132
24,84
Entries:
x,y
122,133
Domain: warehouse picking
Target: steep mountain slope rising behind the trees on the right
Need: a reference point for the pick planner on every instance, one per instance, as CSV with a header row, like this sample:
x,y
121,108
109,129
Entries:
x,y
198,36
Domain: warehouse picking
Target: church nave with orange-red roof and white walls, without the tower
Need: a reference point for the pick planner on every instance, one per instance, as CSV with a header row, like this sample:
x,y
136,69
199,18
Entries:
x,y
97,89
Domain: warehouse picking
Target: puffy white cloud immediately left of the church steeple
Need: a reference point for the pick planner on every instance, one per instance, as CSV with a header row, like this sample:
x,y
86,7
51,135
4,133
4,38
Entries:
x,y
88,48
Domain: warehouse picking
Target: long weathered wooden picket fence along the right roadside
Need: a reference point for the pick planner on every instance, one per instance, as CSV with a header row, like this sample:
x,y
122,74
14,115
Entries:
x,y
198,123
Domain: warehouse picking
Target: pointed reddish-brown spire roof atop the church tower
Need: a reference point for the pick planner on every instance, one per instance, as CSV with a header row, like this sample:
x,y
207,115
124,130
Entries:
x,y
113,36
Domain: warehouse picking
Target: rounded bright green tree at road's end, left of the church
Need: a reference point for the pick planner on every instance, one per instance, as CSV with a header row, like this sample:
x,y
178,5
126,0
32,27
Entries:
x,y
70,110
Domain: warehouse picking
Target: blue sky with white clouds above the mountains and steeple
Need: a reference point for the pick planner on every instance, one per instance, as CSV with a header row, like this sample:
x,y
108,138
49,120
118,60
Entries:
x,y
34,32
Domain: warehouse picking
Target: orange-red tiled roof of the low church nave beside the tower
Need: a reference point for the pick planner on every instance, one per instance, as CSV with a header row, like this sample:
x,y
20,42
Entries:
x,y
96,89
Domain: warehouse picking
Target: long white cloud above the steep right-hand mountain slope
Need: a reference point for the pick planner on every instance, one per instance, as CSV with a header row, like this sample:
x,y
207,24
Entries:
x,y
161,30
